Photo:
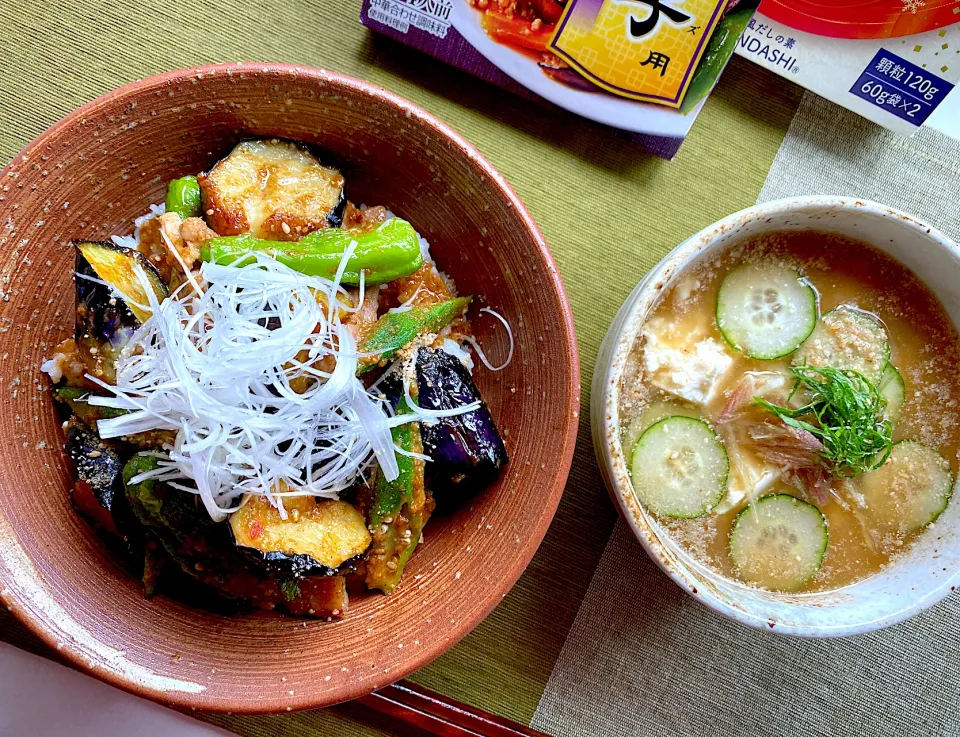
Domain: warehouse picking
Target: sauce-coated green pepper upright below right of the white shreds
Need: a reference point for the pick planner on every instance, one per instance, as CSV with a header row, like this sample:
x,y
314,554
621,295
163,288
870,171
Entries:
x,y
398,512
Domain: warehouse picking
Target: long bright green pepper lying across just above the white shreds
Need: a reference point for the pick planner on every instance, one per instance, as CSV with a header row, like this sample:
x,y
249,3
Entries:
x,y
385,253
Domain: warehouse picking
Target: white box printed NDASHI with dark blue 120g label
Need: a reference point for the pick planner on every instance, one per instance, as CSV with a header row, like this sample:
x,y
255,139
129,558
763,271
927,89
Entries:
x,y
896,62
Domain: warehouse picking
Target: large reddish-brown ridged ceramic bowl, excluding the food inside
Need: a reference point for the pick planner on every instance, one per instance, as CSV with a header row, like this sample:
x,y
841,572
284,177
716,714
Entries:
x,y
89,176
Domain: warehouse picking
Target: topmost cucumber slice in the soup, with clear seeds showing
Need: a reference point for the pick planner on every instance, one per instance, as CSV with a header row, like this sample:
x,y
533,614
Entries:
x,y
765,312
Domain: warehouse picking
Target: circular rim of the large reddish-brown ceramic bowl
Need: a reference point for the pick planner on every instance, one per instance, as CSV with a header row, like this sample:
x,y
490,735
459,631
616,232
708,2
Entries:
x,y
516,563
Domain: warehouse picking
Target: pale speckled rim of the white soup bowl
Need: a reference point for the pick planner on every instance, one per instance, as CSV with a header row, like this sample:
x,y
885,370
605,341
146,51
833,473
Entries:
x,y
605,409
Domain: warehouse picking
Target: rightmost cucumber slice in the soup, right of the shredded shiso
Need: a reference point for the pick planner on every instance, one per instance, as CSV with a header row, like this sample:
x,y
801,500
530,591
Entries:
x,y
909,491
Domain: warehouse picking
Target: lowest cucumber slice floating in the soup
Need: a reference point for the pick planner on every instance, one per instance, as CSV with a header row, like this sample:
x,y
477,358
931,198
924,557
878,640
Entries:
x,y
778,543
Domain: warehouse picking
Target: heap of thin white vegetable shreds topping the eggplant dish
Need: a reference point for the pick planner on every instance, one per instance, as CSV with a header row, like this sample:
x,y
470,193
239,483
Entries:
x,y
225,368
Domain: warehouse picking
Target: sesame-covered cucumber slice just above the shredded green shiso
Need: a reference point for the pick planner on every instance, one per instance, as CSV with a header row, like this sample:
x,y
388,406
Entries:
x,y
850,339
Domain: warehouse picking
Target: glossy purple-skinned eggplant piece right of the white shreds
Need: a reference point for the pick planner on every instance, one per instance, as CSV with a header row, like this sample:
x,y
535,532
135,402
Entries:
x,y
466,450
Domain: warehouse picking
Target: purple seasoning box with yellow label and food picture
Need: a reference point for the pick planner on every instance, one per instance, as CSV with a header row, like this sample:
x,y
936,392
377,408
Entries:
x,y
641,67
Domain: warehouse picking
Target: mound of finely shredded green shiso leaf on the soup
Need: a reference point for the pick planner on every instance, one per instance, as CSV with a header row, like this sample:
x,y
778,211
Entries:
x,y
845,413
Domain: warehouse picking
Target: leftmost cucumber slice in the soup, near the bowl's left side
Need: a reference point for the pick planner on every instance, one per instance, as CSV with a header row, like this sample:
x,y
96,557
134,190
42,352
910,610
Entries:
x,y
679,468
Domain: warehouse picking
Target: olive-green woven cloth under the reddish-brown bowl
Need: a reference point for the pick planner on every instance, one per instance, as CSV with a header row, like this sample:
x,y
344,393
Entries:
x,y
608,211
